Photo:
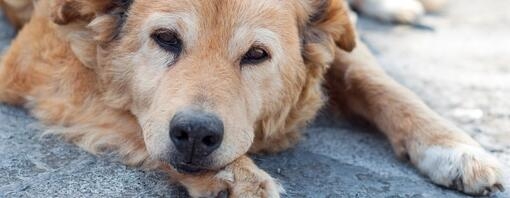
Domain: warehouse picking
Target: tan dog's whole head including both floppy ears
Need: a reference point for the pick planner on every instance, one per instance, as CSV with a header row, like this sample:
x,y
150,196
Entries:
x,y
201,76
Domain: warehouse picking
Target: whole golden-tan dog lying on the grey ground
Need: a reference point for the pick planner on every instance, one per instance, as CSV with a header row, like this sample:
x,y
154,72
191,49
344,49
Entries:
x,y
193,87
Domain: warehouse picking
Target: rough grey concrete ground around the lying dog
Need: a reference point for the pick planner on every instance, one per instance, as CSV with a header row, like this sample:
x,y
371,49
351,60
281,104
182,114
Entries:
x,y
461,69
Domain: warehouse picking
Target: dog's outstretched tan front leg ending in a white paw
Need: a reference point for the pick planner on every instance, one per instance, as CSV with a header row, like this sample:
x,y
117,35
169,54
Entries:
x,y
437,148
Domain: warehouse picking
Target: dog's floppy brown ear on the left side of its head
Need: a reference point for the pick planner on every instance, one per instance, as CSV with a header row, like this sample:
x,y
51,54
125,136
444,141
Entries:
x,y
87,24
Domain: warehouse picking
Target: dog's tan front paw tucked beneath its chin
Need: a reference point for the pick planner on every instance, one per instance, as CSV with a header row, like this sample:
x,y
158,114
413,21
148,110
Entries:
x,y
242,178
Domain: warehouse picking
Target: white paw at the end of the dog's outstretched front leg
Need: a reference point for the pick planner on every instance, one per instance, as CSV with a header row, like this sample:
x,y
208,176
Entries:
x,y
469,169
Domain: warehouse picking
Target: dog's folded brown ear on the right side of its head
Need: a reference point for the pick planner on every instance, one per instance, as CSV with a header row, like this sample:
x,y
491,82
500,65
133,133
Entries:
x,y
325,25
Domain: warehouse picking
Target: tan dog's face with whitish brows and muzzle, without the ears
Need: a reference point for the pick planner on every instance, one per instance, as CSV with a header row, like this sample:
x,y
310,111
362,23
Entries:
x,y
202,71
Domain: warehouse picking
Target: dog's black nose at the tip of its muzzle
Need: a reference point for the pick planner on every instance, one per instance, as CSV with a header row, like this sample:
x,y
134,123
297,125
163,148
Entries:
x,y
196,134
